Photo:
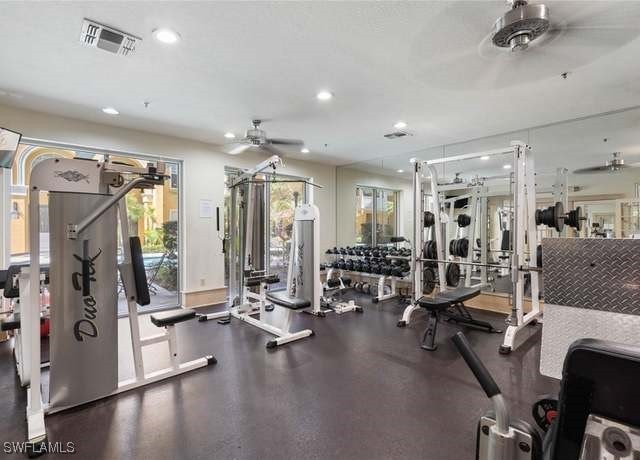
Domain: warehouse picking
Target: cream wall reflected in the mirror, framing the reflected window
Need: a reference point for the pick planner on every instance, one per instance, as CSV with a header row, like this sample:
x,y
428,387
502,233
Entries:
x,y
348,180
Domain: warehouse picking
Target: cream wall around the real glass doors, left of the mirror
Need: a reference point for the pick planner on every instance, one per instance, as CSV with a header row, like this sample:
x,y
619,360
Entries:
x,y
203,178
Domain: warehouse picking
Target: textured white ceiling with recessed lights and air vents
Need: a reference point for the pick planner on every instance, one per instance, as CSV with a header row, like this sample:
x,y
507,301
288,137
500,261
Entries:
x,y
385,61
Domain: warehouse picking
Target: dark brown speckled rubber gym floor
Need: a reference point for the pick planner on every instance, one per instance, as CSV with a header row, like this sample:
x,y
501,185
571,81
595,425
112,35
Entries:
x,y
360,388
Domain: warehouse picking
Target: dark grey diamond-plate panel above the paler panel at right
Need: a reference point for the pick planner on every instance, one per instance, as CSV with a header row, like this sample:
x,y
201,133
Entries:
x,y
592,273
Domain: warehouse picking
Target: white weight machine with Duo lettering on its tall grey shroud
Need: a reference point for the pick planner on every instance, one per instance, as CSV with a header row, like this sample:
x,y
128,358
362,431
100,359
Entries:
x,y
86,201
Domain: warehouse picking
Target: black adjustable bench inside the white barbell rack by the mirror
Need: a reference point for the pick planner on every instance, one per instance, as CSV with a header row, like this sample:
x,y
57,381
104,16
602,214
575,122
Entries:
x,y
450,304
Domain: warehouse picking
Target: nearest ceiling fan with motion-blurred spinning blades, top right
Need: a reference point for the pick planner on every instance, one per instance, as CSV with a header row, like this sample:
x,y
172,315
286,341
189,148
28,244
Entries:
x,y
528,42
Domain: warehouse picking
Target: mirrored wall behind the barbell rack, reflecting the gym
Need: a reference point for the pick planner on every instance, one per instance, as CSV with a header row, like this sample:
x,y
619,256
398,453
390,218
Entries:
x,y
587,153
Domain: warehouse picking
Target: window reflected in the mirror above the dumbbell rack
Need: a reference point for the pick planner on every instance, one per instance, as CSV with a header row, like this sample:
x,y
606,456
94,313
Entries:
x,y
376,209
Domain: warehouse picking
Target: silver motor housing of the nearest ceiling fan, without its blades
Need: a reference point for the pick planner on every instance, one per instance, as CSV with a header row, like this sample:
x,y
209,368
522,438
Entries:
x,y
521,25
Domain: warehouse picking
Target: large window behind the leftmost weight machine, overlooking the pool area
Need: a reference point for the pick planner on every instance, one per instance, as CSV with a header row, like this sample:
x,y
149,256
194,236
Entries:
x,y
152,215
